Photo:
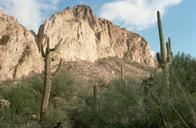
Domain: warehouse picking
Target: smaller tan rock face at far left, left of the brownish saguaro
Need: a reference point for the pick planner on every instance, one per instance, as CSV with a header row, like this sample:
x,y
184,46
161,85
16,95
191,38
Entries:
x,y
19,54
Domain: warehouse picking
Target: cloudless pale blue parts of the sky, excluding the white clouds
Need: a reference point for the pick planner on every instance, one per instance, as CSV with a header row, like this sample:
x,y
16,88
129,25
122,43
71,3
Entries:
x,y
179,23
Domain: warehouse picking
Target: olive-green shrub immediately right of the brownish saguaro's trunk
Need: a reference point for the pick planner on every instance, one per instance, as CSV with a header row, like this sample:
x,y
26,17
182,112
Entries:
x,y
65,87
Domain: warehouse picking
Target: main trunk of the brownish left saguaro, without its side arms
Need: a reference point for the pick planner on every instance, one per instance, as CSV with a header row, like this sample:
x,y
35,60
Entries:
x,y
47,83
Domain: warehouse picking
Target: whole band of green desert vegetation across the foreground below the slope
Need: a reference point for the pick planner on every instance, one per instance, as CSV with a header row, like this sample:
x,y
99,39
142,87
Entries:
x,y
124,103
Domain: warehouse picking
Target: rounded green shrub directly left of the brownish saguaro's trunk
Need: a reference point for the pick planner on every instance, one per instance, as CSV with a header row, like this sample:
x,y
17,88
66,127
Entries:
x,y
25,98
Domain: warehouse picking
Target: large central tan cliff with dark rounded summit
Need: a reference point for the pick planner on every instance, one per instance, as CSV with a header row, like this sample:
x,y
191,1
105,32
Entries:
x,y
85,37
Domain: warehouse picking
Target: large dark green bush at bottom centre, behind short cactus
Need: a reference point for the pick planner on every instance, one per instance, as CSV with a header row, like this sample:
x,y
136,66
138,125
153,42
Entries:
x,y
119,106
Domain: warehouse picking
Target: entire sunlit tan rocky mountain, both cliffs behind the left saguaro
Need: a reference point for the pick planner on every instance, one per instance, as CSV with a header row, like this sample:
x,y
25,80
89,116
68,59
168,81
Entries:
x,y
81,35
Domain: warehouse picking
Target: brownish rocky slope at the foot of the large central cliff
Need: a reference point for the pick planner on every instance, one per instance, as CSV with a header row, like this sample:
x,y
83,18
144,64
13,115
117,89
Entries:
x,y
107,69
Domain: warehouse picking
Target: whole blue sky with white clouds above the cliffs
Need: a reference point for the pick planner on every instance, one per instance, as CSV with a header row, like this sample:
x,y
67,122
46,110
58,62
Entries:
x,y
178,17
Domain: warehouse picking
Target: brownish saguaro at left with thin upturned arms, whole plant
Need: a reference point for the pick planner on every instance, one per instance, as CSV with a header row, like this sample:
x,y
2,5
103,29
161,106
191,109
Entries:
x,y
47,77
